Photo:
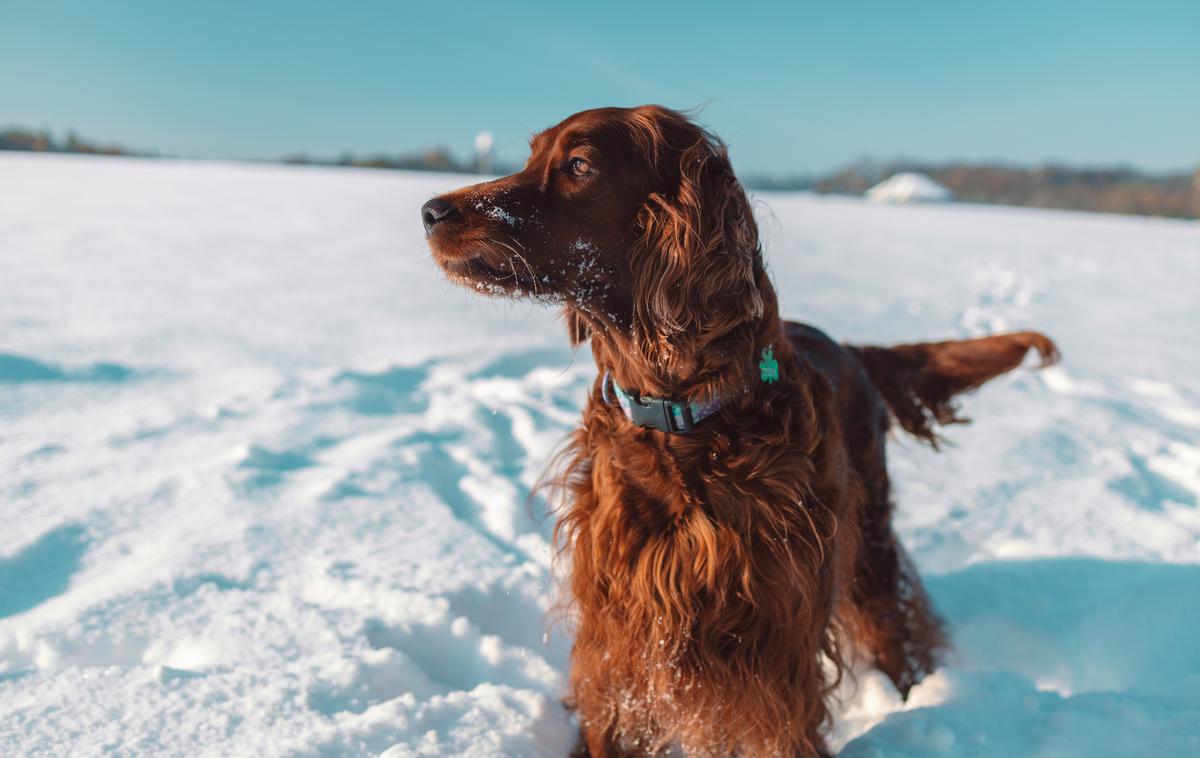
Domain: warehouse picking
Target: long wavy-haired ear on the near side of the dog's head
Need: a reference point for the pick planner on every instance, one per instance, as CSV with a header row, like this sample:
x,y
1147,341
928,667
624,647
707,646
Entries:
x,y
694,263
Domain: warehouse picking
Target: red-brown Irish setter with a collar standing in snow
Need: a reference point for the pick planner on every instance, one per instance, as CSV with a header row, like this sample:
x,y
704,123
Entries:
x,y
725,503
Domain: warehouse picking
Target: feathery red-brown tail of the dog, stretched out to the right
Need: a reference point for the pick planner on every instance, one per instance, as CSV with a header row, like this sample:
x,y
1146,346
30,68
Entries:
x,y
919,382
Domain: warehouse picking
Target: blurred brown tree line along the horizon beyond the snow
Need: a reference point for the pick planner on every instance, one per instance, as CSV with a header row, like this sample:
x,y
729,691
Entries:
x,y
1106,190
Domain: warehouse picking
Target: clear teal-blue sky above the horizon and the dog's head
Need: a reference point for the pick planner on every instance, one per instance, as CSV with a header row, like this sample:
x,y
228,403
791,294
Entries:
x,y
794,87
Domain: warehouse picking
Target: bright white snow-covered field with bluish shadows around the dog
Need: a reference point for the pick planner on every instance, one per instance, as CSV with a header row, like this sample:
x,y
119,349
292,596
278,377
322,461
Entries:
x,y
263,473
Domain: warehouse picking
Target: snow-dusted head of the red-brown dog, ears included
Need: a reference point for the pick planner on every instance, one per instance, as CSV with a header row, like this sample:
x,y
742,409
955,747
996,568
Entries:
x,y
632,218
